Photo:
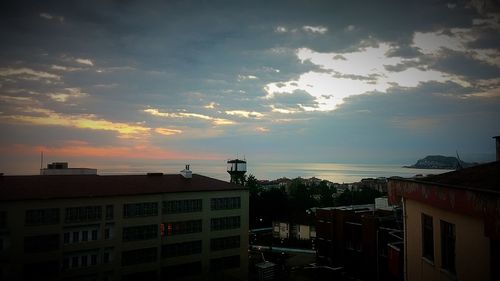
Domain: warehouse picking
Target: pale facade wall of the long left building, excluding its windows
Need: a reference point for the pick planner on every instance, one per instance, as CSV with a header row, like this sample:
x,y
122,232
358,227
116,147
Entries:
x,y
14,260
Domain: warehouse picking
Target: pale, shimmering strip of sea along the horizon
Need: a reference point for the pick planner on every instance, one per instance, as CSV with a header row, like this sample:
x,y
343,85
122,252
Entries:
x,y
334,172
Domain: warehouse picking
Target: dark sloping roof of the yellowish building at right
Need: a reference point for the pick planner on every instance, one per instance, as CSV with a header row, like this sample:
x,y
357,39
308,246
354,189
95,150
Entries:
x,y
484,177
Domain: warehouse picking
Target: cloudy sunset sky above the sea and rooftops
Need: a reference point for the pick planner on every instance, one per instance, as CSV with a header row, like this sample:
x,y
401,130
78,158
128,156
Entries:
x,y
125,84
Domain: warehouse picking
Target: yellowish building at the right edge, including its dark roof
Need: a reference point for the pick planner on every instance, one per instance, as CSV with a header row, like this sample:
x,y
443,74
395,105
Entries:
x,y
451,224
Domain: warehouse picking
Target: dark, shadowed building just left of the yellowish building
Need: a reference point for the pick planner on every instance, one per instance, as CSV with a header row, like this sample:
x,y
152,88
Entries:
x,y
361,240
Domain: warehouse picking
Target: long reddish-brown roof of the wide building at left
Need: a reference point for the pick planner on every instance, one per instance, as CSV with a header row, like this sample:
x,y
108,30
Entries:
x,y
14,188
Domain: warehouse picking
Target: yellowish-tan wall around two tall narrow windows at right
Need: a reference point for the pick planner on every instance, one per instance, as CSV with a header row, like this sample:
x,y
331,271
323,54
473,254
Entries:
x,y
471,245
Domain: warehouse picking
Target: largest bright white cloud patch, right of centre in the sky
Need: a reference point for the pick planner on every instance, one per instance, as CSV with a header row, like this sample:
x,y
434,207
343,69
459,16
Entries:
x,y
356,73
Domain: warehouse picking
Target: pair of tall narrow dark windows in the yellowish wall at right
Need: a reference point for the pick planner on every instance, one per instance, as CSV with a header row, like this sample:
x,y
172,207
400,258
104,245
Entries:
x,y
447,242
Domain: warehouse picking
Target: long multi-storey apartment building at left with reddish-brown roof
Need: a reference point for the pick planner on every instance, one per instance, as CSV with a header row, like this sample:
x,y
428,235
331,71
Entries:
x,y
122,227
